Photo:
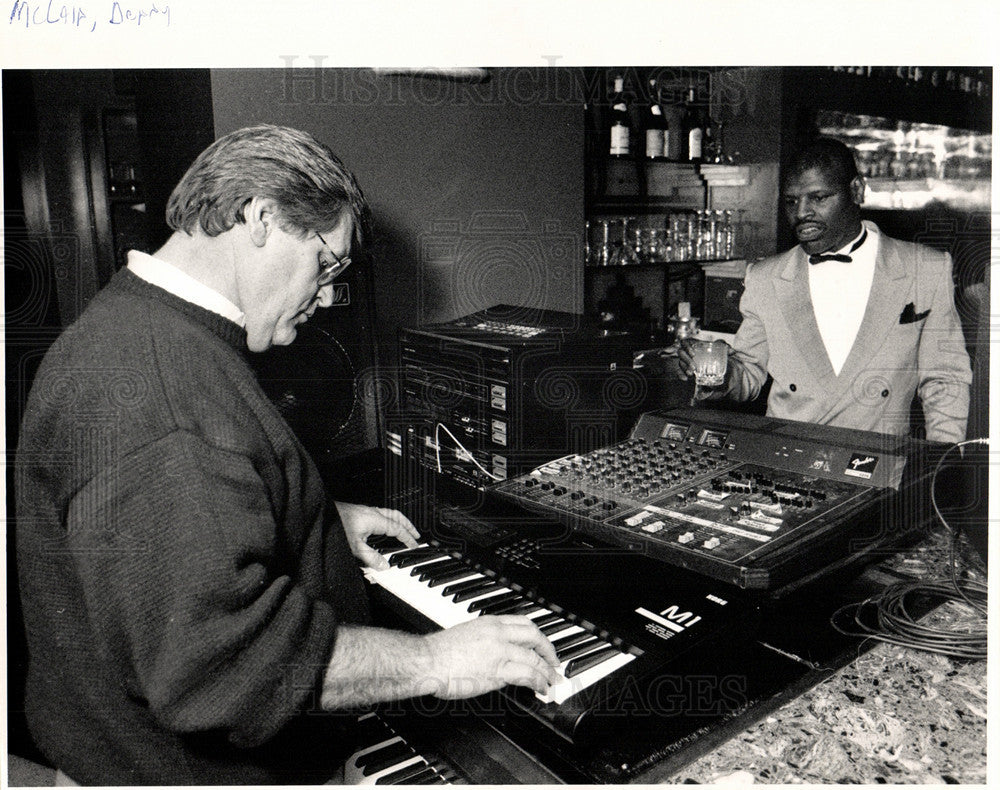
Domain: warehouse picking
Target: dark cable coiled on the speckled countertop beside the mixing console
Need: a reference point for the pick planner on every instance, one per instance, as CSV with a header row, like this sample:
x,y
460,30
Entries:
x,y
886,617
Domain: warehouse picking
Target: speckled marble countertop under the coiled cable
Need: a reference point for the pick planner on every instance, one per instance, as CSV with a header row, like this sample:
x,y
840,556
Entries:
x,y
893,715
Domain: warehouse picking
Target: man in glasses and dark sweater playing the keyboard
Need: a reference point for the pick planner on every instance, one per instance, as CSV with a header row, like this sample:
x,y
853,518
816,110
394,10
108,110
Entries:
x,y
193,606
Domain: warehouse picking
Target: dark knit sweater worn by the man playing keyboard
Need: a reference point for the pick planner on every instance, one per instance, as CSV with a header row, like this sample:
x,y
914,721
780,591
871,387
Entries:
x,y
182,578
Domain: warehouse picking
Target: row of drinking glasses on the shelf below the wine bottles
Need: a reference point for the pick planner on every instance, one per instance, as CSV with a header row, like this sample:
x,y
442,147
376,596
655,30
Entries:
x,y
702,236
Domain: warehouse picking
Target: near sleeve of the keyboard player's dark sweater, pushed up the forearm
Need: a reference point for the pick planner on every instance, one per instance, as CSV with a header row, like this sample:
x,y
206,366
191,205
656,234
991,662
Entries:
x,y
191,594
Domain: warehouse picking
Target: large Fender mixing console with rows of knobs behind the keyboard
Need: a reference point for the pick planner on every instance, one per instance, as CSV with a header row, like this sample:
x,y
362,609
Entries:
x,y
758,506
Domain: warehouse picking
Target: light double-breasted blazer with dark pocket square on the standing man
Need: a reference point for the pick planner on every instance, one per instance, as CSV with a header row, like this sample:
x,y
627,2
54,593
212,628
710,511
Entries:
x,y
910,340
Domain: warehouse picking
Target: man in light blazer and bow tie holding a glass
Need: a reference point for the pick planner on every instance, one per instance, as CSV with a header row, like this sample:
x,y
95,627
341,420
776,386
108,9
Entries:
x,y
850,323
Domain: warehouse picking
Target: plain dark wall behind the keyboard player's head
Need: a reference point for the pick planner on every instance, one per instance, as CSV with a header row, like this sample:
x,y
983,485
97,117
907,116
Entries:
x,y
477,188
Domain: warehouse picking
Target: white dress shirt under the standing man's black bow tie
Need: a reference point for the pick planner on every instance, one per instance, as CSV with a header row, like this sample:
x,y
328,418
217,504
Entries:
x,y
839,293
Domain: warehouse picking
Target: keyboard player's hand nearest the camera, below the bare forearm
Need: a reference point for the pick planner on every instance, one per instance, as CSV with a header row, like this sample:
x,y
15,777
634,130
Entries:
x,y
488,653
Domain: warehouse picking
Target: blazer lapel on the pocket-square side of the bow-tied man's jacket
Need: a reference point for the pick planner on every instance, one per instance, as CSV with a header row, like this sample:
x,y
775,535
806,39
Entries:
x,y
885,301
